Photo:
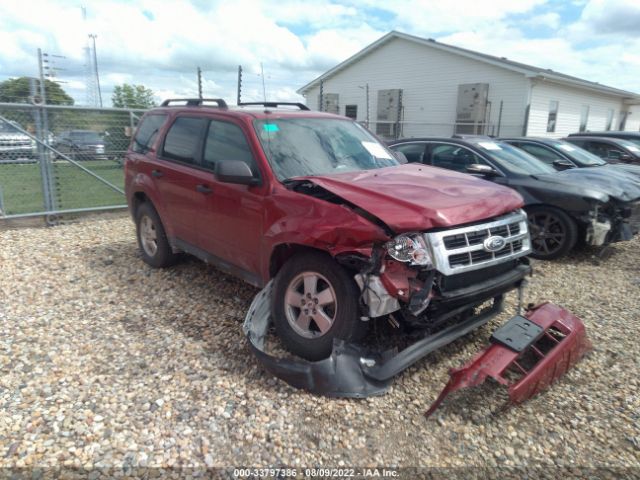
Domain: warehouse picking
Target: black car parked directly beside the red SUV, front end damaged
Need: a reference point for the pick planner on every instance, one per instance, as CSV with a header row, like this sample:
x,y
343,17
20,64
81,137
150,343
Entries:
x,y
563,207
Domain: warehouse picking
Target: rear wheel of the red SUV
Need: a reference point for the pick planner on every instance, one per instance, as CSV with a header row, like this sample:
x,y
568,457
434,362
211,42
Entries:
x,y
152,239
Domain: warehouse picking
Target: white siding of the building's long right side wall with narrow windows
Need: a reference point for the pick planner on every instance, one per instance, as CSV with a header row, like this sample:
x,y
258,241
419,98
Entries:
x,y
570,102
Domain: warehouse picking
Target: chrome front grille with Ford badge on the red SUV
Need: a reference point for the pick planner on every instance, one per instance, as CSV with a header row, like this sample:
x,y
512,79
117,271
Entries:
x,y
462,249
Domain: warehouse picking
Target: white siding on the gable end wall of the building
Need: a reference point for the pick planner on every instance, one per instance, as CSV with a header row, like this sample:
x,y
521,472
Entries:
x,y
429,79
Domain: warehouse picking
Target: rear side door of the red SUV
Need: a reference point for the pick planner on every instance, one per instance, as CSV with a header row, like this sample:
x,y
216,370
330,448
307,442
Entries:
x,y
178,179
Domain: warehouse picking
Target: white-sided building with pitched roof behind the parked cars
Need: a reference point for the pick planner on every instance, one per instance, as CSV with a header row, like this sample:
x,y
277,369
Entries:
x,y
406,86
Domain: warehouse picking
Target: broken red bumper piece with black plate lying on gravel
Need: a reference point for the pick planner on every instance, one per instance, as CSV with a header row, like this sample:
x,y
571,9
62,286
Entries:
x,y
563,342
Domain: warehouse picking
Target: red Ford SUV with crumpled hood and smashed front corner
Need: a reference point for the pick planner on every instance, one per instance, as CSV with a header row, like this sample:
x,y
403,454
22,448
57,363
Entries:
x,y
315,202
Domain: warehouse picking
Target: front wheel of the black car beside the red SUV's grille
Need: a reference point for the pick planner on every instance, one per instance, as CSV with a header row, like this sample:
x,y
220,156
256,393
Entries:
x,y
553,232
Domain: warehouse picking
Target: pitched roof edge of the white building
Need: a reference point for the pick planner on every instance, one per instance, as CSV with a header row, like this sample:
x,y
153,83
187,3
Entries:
x,y
503,62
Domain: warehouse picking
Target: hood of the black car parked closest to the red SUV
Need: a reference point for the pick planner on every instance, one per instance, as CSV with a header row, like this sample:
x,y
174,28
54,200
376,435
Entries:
x,y
602,180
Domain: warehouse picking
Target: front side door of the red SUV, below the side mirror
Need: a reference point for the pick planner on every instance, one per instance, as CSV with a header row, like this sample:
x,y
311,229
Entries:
x,y
231,226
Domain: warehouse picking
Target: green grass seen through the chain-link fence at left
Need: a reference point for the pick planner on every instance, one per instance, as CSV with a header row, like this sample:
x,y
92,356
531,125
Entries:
x,y
21,186
